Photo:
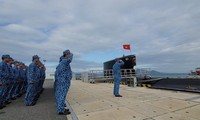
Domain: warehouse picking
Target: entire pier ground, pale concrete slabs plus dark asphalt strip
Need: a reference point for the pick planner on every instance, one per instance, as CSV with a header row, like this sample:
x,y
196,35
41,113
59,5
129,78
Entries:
x,y
96,102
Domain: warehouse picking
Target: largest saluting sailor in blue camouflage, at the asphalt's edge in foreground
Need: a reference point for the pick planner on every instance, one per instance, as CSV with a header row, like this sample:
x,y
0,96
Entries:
x,y
63,80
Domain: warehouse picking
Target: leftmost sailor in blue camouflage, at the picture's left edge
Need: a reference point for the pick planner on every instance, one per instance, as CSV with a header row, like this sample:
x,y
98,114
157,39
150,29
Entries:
x,y
4,76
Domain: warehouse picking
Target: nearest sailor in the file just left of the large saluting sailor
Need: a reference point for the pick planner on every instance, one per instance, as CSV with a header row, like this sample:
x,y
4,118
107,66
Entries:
x,y
32,82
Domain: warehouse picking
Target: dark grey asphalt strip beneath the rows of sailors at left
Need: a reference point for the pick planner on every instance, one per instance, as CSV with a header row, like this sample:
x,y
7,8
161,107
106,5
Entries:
x,y
45,109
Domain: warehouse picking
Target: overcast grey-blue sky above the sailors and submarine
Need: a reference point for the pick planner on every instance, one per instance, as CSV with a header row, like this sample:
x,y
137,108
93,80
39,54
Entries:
x,y
164,34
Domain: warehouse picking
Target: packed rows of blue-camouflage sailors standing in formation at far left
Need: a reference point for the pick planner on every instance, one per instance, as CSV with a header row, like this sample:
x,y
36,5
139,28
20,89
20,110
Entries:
x,y
17,79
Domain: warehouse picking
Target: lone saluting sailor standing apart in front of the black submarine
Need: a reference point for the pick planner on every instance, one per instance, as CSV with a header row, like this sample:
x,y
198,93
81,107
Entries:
x,y
117,76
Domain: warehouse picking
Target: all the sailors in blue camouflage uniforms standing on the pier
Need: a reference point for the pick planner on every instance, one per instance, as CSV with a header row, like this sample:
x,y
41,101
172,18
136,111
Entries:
x,y
17,79
